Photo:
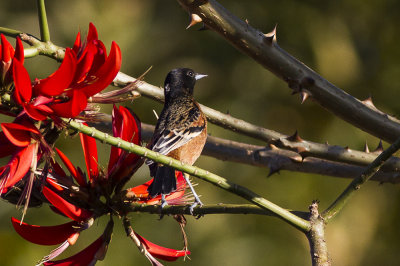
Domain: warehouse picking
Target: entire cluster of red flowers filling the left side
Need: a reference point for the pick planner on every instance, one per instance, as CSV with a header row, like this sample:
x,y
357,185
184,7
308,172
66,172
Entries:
x,y
38,109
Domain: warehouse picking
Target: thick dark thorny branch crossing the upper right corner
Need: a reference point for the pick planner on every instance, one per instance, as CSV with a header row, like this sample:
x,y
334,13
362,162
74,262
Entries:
x,y
264,49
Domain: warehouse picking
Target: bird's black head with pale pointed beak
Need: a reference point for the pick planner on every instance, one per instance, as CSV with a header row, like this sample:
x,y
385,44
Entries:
x,y
180,81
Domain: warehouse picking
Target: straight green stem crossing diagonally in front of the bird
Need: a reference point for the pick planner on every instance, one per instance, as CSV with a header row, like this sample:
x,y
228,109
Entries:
x,y
214,179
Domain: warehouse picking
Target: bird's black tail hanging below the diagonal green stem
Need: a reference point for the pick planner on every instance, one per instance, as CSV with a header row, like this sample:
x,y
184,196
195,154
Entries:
x,y
164,181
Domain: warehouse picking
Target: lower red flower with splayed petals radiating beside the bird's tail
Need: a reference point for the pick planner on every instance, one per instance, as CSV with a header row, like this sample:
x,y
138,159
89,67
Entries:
x,y
81,201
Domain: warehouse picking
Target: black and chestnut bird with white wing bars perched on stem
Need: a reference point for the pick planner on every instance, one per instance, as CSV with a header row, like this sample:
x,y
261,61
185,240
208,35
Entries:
x,y
180,132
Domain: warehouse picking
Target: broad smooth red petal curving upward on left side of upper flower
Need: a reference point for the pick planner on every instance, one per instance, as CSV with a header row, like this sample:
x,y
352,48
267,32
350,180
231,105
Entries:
x,y
60,80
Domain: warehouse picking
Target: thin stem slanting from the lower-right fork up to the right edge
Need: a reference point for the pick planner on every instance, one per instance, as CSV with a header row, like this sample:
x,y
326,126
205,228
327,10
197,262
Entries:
x,y
356,184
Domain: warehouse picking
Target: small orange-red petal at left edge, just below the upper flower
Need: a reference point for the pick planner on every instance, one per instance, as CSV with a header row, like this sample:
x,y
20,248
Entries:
x,y
19,134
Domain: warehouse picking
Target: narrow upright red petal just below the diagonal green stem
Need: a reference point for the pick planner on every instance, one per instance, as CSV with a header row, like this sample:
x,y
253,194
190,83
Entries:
x,y
90,151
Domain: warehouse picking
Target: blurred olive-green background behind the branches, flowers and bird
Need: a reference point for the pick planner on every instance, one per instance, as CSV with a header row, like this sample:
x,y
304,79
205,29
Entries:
x,y
354,44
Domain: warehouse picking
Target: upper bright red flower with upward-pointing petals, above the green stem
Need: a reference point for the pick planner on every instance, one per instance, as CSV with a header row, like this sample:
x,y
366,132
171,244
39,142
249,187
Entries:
x,y
85,71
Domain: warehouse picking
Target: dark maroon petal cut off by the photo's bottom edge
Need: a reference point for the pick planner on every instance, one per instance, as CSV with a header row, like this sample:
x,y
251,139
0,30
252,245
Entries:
x,y
83,258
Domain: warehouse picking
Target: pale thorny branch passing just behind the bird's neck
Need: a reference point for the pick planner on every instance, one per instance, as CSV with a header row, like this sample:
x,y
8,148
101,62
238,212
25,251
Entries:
x,y
294,143
